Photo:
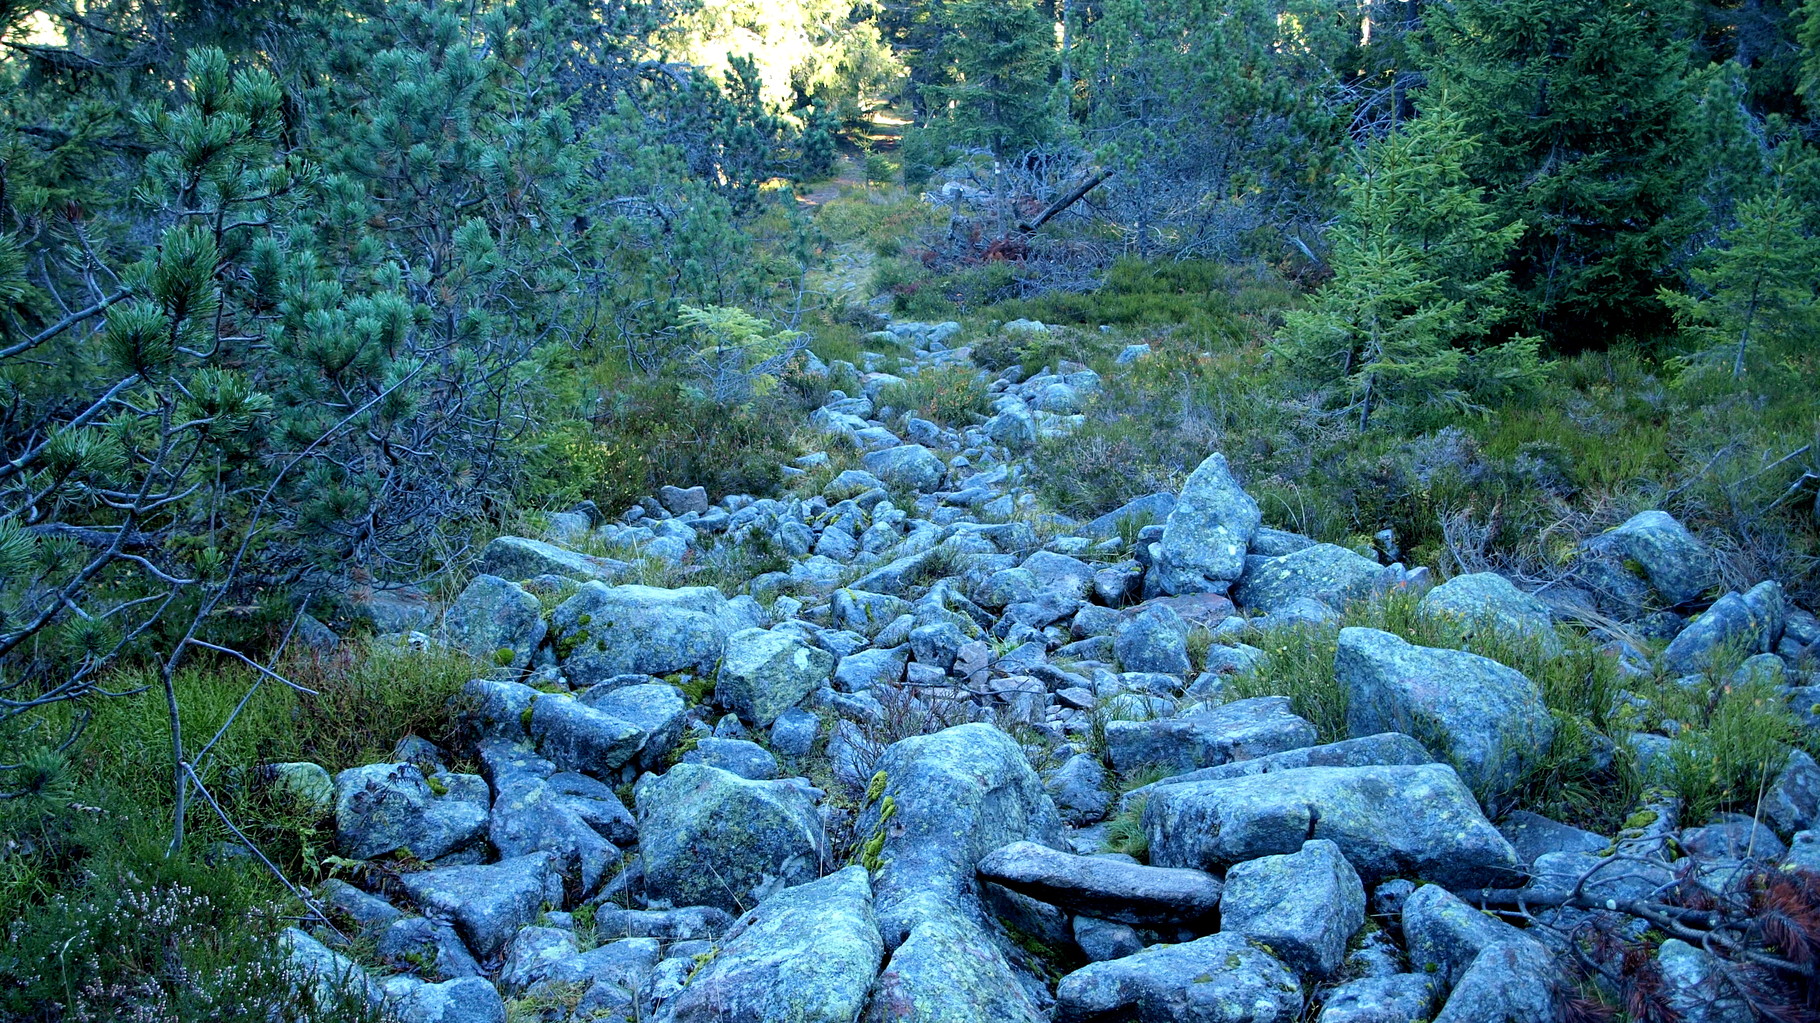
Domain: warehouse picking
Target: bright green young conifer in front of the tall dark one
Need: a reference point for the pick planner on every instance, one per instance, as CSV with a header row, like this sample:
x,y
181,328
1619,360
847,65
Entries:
x,y
1417,299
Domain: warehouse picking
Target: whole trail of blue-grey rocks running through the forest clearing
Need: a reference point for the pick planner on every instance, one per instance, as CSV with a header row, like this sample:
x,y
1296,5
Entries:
x,y
969,682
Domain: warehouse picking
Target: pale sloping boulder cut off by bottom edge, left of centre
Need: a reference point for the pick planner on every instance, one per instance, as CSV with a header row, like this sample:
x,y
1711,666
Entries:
x,y
805,955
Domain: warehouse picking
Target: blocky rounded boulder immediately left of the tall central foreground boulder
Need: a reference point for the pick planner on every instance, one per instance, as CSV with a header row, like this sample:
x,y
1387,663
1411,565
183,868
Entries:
x,y
711,838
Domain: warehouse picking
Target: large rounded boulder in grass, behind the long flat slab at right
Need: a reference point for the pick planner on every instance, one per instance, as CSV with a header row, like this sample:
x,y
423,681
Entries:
x,y
1486,718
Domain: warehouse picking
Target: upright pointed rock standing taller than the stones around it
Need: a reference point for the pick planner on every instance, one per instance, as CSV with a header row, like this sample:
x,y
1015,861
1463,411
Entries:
x,y
1208,532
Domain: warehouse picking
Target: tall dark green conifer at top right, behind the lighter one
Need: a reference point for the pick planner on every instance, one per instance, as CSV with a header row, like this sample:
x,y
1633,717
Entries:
x,y
1584,114
